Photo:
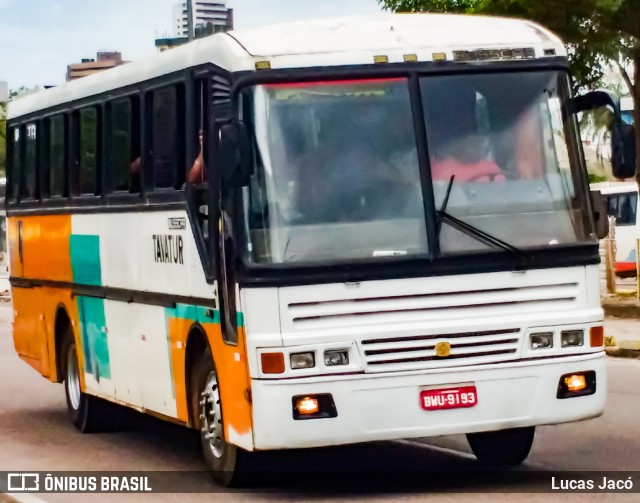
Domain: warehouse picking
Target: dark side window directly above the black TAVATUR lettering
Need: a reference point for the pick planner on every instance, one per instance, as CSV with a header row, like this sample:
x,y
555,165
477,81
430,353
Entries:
x,y
168,128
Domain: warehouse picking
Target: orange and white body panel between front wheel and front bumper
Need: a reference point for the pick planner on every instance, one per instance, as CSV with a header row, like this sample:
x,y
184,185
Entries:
x,y
235,386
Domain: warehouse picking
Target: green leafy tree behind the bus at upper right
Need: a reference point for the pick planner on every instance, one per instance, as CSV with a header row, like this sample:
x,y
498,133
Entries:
x,y
596,32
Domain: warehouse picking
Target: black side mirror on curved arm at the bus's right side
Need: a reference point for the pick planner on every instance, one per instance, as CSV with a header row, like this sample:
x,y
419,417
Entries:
x,y
623,148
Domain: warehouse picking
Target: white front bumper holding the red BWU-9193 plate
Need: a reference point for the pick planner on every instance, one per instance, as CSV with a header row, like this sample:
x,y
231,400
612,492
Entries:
x,y
387,406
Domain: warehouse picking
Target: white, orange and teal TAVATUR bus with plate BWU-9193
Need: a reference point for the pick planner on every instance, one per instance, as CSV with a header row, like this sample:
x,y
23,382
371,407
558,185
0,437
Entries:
x,y
316,234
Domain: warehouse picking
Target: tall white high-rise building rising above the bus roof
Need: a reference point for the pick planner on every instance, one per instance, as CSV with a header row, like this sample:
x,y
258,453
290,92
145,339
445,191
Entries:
x,y
212,16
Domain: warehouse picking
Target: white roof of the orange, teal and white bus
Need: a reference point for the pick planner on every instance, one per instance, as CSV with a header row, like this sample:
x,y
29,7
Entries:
x,y
339,41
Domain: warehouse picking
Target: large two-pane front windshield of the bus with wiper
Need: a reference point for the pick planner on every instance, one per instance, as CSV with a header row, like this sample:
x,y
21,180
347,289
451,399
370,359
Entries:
x,y
338,176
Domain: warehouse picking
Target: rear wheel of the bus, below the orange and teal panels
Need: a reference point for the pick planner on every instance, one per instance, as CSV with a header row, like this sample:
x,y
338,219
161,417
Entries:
x,y
85,411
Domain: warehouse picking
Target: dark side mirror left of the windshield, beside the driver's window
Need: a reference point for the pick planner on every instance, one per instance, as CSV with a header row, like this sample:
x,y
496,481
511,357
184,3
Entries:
x,y
235,155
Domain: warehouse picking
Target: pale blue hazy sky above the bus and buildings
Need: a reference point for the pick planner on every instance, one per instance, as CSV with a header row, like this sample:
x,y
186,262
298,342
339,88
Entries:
x,y
41,37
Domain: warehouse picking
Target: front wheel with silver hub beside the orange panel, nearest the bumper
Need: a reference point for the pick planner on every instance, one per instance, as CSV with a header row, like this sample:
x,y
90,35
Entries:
x,y
226,462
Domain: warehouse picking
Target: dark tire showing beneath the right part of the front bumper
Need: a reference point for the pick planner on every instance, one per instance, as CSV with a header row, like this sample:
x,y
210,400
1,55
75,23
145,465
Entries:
x,y
502,448
